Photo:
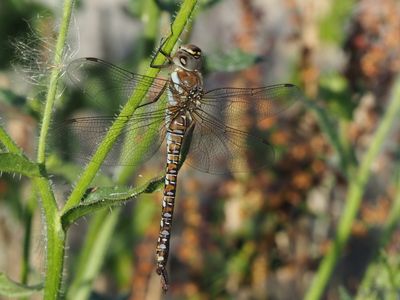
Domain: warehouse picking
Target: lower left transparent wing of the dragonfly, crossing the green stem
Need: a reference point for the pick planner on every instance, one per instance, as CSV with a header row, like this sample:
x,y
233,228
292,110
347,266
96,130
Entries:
x,y
137,139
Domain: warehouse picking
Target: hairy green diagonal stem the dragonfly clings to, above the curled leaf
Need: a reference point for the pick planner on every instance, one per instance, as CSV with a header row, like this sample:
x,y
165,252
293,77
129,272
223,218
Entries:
x,y
140,92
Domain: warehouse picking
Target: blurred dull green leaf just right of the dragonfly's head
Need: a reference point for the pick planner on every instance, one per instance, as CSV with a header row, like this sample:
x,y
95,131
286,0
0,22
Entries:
x,y
234,60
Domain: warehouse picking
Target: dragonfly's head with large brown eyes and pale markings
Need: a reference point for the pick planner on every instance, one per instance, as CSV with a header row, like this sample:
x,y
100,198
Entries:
x,y
188,57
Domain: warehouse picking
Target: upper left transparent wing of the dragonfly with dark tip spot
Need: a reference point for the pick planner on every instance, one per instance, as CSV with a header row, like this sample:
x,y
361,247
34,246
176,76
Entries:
x,y
104,82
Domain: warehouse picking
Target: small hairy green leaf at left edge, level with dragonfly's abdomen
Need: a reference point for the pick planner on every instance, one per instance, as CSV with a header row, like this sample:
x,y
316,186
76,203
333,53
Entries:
x,y
14,163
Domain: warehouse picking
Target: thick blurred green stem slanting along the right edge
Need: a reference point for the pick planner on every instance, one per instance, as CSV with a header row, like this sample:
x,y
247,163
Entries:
x,y
354,196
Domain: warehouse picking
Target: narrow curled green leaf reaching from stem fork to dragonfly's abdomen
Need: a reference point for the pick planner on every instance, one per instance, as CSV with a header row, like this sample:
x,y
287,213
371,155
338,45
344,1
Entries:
x,y
103,197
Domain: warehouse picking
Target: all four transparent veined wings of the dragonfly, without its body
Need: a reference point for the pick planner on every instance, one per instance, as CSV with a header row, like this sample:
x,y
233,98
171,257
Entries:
x,y
219,143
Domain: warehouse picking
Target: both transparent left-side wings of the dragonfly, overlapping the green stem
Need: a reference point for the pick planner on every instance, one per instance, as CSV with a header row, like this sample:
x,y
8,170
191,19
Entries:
x,y
109,86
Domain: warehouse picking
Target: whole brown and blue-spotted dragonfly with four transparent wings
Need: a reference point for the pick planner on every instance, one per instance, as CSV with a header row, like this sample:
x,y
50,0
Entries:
x,y
204,121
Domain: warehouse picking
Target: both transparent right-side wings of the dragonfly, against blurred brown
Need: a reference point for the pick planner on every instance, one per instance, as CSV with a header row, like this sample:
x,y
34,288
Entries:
x,y
220,143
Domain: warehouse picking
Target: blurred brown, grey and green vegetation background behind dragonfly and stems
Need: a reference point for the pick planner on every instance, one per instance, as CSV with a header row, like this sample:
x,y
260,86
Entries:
x,y
259,236
